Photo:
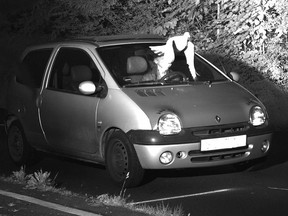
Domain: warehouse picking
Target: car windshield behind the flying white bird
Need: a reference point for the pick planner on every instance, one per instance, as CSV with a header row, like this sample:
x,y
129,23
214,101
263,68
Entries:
x,y
137,65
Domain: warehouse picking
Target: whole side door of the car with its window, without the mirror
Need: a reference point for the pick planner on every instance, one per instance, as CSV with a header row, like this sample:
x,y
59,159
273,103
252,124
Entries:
x,y
69,117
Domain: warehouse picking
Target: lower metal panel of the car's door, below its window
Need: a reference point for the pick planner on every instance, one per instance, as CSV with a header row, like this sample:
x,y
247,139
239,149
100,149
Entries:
x,y
69,121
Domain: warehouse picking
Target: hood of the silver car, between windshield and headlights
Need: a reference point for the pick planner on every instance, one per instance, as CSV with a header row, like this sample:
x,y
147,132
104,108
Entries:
x,y
196,105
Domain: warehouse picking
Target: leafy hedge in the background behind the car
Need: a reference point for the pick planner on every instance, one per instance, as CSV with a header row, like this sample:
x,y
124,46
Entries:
x,y
242,33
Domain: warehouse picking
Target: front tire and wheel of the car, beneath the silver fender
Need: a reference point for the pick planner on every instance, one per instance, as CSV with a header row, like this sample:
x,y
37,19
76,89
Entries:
x,y
121,159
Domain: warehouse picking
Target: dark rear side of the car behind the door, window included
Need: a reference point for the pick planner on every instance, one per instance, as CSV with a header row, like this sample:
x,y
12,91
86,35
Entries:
x,y
24,92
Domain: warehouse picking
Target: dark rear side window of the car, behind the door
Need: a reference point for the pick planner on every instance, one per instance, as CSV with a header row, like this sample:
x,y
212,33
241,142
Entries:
x,y
32,68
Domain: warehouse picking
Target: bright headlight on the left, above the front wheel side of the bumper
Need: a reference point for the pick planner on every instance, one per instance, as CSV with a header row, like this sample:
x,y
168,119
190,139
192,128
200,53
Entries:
x,y
169,124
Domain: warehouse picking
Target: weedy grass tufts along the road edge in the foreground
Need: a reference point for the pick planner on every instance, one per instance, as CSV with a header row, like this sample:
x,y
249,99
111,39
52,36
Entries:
x,y
42,181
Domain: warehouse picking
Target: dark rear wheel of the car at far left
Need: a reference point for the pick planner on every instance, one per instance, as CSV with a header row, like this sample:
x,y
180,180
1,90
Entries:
x,y
20,152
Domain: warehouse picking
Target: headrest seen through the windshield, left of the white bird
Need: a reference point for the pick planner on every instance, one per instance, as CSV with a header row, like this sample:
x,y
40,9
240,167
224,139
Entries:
x,y
136,64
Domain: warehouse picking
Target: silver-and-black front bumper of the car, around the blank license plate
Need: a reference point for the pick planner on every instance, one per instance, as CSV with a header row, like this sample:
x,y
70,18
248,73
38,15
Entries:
x,y
150,152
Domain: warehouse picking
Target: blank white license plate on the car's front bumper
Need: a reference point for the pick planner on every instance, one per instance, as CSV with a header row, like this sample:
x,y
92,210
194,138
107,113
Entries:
x,y
223,143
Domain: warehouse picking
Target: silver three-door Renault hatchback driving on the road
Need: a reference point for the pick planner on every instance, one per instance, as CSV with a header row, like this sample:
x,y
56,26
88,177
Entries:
x,y
100,99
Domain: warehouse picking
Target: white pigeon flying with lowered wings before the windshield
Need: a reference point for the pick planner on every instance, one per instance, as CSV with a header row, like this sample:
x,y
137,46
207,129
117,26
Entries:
x,y
166,54
